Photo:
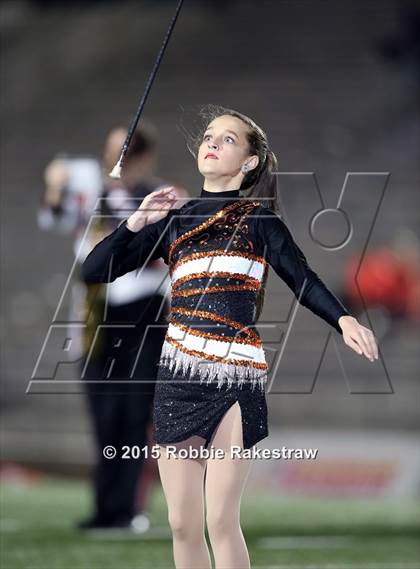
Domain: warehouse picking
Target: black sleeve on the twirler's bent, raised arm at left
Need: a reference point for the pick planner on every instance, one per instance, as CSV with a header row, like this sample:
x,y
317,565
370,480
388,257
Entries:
x,y
124,250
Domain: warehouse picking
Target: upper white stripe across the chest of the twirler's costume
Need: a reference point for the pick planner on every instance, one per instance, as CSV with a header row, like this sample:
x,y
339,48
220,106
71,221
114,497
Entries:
x,y
226,263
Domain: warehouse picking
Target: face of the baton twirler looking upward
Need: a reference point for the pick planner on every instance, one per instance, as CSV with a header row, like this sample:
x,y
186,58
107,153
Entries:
x,y
224,148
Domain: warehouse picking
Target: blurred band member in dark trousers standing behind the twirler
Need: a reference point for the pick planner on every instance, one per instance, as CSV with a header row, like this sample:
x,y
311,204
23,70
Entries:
x,y
75,189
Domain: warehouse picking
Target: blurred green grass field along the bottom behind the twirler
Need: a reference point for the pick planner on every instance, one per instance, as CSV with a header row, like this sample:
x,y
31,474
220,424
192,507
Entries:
x,y
37,532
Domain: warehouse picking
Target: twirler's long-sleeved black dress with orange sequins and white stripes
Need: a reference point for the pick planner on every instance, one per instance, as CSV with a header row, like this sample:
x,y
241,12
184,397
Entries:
x,y
218,248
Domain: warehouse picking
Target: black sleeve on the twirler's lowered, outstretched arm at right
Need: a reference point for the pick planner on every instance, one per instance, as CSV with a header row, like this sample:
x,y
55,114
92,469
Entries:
x,y
290,264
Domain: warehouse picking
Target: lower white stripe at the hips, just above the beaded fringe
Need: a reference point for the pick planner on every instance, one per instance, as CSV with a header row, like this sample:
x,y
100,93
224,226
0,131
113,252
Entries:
x,y
228,350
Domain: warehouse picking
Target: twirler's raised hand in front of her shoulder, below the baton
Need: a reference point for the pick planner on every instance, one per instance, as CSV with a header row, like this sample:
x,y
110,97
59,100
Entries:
x,y
154,207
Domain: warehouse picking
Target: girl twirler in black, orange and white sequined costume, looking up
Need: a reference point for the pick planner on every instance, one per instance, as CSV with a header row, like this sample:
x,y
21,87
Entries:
x,y
212,375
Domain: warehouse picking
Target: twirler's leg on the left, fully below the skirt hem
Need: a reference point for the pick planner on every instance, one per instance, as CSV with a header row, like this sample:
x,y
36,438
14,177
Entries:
x,y
182,482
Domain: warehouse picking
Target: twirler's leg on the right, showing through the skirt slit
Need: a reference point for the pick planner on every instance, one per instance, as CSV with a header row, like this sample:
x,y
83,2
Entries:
x,y
225,481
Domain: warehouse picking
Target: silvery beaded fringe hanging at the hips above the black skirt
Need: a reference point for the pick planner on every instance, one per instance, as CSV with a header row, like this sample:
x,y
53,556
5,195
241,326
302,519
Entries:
x,y
175,359
